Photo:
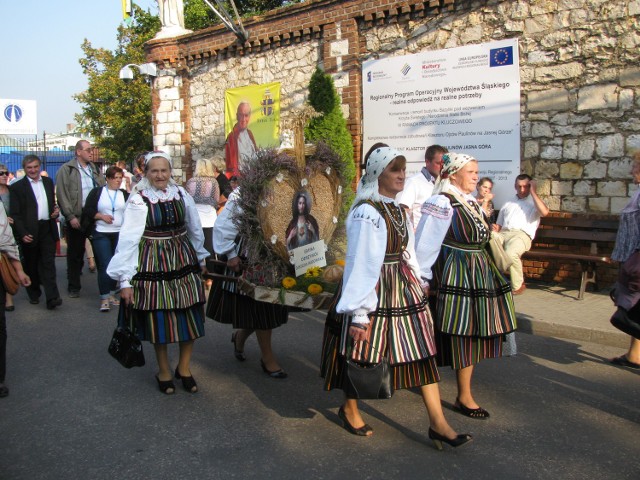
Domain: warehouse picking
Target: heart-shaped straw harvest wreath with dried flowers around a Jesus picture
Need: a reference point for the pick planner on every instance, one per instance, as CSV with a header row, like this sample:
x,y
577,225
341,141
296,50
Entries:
x,y
269,186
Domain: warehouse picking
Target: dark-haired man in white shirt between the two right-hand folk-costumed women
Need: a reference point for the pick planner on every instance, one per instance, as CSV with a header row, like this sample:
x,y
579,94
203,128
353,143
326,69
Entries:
x,y
419,187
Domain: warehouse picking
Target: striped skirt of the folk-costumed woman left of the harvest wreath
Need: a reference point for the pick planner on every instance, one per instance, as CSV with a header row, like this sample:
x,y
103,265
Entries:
x,y
168,294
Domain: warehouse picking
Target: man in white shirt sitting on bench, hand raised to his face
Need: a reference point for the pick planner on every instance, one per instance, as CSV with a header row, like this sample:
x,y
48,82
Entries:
x,y
517,223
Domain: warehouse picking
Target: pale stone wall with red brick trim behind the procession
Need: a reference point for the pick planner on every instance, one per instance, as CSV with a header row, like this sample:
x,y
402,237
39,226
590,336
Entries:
x,y
580,81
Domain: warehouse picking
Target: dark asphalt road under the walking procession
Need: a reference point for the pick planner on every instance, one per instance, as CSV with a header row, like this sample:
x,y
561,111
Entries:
x,y
558,411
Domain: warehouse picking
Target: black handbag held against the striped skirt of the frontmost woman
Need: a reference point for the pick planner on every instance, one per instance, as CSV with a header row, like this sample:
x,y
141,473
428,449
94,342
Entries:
x,y
367,381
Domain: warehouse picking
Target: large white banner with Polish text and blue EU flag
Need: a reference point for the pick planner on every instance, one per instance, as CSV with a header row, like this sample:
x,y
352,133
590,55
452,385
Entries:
x,y
466,99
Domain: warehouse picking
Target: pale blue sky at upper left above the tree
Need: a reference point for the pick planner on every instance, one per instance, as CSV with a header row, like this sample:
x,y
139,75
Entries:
x,y
40,48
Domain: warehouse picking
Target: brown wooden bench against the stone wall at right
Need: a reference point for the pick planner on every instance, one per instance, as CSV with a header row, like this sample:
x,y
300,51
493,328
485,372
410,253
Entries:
x,y
598,235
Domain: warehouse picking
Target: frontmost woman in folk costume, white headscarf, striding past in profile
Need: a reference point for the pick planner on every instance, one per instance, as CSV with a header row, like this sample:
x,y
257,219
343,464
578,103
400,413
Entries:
x,y
381,308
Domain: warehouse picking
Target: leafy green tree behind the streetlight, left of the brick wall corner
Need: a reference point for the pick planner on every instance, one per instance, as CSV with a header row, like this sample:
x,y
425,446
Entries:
x,y
117,114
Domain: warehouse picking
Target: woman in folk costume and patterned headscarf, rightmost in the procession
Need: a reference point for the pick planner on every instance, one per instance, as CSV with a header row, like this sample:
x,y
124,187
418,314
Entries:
x,y
474,306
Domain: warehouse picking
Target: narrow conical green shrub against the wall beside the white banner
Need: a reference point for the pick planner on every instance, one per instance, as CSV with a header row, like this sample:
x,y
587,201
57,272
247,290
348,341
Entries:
x,y
331,127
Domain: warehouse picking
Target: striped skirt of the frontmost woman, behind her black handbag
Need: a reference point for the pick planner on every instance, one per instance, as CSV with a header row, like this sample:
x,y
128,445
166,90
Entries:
x,y
401,329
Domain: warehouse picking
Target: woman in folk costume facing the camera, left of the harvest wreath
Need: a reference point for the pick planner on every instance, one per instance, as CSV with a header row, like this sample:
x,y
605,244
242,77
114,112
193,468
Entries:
x,y
158,262
